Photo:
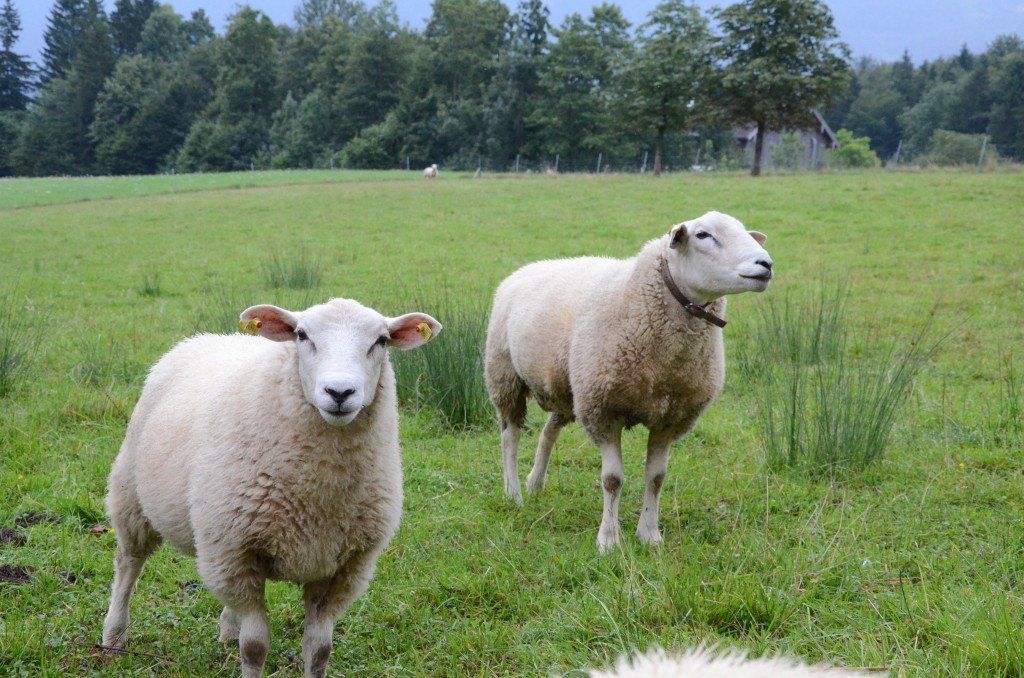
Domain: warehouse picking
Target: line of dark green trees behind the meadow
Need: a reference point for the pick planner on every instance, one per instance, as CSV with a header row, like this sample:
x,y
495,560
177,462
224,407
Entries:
x,y
146,90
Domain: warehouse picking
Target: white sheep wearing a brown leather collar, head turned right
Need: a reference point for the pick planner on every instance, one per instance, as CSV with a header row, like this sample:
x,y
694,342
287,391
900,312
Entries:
x,y
620,343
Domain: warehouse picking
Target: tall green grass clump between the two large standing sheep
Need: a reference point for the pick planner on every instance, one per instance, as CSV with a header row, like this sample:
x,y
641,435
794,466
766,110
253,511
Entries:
x,y
446,376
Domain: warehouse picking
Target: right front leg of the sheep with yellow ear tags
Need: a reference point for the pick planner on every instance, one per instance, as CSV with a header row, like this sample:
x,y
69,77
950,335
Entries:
x,y
325,602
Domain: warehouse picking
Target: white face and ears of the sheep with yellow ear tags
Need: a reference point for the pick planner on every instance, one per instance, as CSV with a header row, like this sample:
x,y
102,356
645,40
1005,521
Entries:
x,y
342,347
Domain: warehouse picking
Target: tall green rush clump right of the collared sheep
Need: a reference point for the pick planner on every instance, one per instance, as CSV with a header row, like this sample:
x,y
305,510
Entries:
x,y
820,410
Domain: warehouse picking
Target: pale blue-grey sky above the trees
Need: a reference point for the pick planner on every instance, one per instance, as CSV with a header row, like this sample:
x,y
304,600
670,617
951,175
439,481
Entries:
x,y
873,28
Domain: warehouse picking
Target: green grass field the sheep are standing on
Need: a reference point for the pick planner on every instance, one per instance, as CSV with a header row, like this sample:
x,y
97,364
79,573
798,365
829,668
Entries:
x,y
914,565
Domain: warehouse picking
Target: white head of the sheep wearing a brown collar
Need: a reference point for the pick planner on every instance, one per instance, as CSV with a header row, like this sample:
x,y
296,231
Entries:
x,y
715,256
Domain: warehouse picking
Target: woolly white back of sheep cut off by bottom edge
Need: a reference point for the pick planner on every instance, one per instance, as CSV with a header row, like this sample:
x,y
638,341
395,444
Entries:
x,y
703,663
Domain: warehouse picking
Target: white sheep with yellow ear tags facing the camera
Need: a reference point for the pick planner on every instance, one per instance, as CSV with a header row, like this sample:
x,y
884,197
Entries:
x,y
268,460
